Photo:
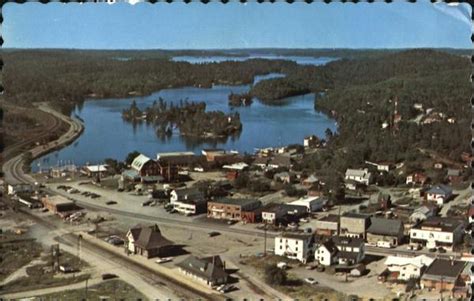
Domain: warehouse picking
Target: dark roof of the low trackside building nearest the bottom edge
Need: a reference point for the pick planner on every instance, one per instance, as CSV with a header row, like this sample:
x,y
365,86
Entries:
x,y
209,268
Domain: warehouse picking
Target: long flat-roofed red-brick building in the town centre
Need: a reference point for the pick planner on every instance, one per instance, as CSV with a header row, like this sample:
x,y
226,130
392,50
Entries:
x,y
234,209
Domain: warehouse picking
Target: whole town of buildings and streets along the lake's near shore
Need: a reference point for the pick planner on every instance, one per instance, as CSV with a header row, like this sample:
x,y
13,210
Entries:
x,y
198,218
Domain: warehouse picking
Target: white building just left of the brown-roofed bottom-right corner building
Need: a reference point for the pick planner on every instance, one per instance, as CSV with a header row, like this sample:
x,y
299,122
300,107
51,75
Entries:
x,y
406,268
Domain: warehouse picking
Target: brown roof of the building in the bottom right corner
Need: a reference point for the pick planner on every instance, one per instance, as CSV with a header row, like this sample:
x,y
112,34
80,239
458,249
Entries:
x,y
448,270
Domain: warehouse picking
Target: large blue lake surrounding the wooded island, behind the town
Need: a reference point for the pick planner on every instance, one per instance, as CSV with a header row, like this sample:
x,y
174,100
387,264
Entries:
x,y
107,135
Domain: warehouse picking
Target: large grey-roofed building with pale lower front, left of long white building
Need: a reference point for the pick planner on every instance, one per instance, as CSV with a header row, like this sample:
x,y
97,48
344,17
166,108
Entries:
x,y
385,232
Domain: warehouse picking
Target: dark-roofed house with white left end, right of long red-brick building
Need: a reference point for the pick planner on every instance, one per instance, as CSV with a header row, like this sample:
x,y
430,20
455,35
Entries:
x,y
282,213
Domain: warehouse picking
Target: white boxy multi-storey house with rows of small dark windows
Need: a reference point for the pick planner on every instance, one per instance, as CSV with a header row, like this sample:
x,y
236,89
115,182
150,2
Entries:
x,y
294,246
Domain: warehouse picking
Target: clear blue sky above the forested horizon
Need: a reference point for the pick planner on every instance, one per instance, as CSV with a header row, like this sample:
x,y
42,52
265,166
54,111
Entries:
x,y
217,26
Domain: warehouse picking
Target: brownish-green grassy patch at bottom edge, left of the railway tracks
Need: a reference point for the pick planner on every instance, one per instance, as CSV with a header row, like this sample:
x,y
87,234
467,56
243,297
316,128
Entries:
x,y
112,290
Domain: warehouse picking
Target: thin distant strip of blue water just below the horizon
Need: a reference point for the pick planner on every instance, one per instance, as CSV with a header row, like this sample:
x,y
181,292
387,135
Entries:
x,y
302,60
